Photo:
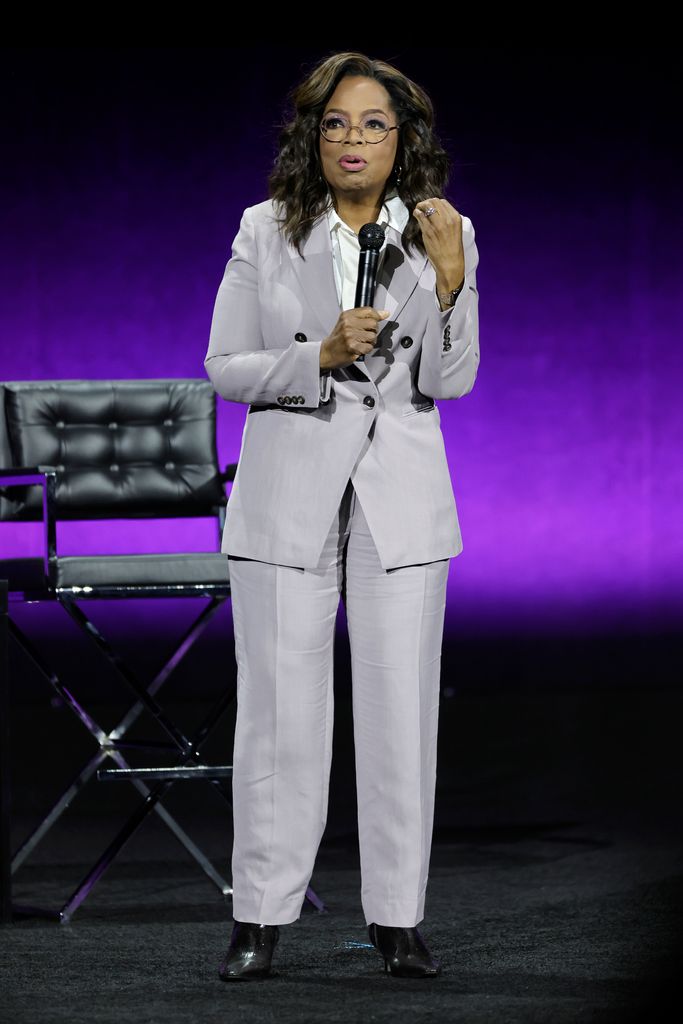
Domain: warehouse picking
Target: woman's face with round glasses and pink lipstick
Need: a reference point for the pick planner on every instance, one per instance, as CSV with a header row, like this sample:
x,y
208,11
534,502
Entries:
x,y
356,99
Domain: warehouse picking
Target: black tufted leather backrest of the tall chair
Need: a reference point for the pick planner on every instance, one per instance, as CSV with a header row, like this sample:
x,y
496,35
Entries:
x,y
129,449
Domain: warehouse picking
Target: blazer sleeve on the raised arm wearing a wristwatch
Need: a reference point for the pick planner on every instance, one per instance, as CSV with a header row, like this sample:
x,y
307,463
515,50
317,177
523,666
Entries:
x,y
450,357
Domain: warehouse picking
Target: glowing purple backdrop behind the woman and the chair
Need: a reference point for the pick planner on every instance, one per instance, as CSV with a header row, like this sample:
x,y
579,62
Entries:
x,y
125,177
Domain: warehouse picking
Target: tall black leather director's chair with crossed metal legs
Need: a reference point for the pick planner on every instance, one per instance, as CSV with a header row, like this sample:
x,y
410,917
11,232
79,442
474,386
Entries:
x,y
79,450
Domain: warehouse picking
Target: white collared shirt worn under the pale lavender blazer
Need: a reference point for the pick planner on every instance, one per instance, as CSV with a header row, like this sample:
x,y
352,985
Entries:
x,y
347,250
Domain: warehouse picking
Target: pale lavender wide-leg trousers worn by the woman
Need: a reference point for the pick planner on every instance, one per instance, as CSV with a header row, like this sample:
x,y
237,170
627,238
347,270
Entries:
x,y
284,622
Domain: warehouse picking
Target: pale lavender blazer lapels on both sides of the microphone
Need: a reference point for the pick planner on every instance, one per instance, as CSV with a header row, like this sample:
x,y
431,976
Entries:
x,y
397,281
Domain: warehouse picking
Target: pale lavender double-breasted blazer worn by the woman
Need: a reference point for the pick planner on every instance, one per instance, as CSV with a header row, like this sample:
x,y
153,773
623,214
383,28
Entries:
x,y
380,424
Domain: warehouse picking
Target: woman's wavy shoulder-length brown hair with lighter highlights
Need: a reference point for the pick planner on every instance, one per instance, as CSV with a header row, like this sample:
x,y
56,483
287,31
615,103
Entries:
x,y
296,181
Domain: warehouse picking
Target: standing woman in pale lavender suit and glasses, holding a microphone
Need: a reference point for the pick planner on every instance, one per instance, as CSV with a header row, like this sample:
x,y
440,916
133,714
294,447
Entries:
x,y
343,490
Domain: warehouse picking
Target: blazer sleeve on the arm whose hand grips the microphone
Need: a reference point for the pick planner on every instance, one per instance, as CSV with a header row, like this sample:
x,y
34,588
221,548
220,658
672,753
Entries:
x,y
239,365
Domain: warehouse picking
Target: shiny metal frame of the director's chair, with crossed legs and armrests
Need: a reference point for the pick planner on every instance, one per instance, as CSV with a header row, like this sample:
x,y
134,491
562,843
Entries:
x,y
113,745
